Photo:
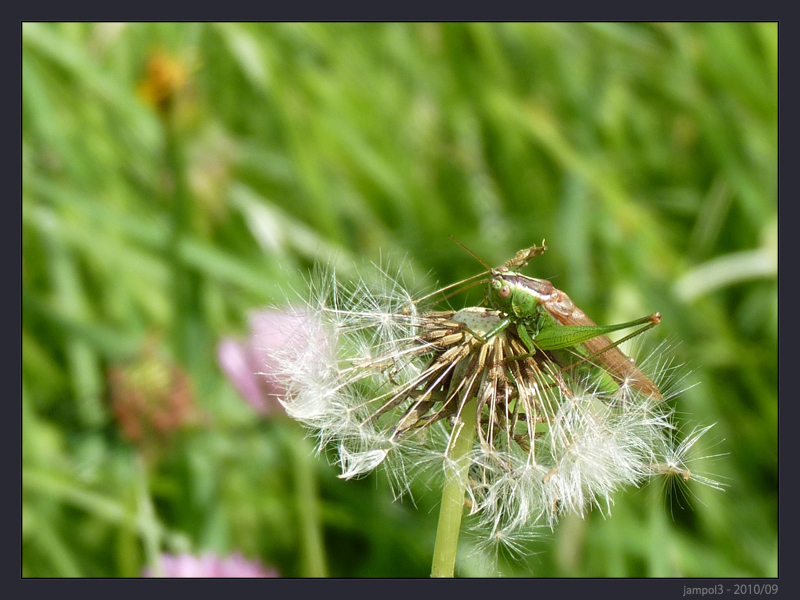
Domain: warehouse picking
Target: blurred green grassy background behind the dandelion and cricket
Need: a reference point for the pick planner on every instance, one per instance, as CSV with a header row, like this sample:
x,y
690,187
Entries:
x,y
177,176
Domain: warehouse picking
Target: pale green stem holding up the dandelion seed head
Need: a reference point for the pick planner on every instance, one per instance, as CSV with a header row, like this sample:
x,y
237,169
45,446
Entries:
x,y
452,509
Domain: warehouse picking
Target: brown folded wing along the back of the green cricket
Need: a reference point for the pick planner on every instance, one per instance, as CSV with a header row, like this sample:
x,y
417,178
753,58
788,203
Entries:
x,y
619,366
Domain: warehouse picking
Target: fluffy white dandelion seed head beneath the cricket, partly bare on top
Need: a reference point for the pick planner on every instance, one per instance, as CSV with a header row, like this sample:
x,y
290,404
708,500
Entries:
x,y
382,374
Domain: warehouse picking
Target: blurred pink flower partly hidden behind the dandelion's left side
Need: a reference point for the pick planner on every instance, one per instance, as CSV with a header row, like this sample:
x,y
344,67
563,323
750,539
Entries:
x,y
248,364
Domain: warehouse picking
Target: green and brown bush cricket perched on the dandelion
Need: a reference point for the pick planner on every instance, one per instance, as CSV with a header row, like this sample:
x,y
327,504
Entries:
x,y
547,319
